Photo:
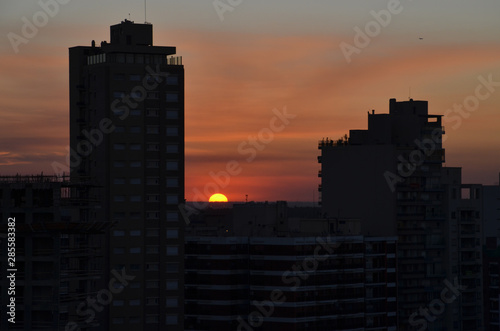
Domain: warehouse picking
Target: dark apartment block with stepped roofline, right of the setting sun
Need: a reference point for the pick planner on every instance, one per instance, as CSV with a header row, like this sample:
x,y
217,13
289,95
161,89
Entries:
x,y
392,178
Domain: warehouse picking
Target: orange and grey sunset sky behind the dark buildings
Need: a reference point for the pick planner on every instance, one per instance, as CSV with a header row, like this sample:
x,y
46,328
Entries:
x,y
264,56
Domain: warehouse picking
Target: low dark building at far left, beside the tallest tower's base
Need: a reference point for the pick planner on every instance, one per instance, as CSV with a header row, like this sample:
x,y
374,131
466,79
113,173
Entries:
x,y
58,253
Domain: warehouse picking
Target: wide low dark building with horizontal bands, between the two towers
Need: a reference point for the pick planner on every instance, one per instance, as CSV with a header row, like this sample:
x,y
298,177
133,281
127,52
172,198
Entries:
x,y
260,269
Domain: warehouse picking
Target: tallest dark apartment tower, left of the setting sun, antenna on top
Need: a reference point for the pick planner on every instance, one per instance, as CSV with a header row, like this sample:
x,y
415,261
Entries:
x,y
127,138
